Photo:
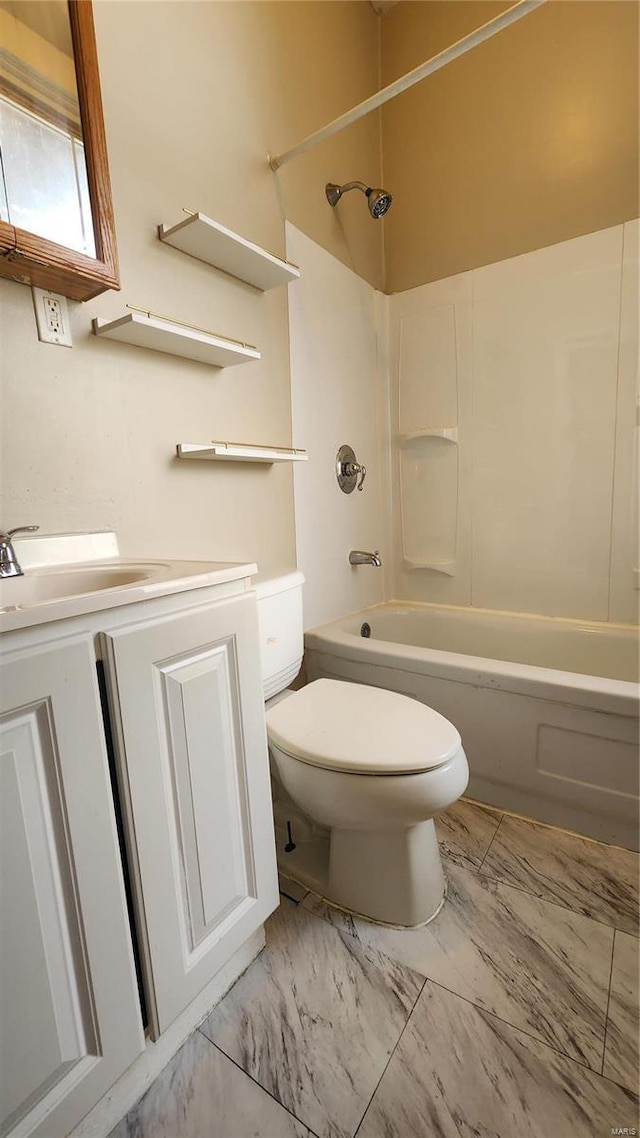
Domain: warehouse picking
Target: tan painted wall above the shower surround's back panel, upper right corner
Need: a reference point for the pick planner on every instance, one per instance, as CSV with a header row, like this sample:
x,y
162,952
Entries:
x,y
529,141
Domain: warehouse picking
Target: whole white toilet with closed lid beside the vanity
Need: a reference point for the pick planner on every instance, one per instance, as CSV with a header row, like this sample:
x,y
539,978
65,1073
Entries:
x,y
358,776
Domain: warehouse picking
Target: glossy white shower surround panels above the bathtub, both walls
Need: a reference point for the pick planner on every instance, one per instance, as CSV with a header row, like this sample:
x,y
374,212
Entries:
x,y
497,415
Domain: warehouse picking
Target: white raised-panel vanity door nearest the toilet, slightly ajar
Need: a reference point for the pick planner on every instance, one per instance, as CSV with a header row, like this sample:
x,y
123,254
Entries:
x,y
190,720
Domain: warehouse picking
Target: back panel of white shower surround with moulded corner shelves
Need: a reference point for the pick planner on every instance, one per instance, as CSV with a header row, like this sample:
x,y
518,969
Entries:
x,y
536,361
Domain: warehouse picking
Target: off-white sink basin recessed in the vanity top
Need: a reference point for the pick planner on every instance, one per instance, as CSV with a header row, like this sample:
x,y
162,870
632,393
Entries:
x,y
38,587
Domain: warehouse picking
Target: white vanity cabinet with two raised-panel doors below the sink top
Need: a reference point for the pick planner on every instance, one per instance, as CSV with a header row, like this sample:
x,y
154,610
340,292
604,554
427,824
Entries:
x,y
188,748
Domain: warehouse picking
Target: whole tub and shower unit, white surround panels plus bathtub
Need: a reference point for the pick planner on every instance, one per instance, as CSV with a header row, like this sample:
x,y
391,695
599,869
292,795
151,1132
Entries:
x,y
500,433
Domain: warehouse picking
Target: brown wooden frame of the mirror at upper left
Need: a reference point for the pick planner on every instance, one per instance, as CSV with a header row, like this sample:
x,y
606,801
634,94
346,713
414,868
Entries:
x,y
38,261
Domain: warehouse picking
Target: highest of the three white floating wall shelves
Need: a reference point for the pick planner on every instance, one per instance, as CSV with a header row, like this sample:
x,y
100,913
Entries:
x,y
208,241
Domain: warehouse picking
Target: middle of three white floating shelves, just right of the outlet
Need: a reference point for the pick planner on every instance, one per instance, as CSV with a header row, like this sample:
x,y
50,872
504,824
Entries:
x,y
147,331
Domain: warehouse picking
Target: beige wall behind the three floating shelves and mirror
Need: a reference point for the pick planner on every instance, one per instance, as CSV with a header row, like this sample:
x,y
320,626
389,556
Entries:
x,y
195,95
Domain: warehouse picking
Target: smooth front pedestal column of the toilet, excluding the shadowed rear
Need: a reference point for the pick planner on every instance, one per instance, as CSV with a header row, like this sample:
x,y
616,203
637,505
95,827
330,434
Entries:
x,y
391,876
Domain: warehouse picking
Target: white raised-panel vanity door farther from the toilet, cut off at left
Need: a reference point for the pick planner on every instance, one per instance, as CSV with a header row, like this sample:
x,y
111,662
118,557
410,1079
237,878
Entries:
x,y
69,1002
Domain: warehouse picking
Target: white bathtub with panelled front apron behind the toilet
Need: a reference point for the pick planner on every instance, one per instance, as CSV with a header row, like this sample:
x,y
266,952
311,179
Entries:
x,y
547,707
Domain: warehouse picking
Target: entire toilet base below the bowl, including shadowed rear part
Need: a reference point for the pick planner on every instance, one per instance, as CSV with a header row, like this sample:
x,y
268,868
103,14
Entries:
x,y
393,878
